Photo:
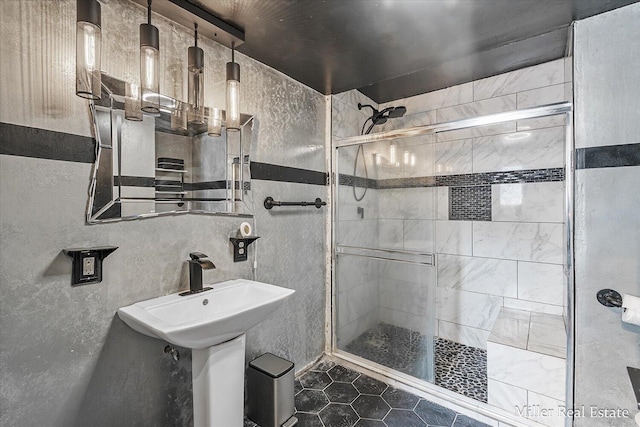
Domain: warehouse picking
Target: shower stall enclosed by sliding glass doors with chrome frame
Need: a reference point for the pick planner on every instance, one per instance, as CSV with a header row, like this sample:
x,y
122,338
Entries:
x,y
452,259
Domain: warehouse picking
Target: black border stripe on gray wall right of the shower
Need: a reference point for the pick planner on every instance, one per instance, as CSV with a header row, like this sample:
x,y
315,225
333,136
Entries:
x,y
610,156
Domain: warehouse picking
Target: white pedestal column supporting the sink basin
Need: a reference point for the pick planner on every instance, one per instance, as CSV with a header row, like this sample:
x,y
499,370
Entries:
x,y
218,384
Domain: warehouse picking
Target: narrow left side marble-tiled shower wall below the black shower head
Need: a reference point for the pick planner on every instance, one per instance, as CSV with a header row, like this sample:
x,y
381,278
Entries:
x,y
356,224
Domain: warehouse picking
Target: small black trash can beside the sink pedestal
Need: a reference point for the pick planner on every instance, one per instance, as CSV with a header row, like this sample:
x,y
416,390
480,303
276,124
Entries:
x,y
270,391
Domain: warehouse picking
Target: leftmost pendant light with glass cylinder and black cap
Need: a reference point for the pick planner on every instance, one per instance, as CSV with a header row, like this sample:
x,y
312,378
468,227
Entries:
x,y
88,44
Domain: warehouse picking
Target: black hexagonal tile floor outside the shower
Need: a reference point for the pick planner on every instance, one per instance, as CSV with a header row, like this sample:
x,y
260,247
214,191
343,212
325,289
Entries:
x,y
331,395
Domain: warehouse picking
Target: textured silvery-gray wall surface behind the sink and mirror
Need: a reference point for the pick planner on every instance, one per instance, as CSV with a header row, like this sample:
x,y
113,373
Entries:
x,y
66,358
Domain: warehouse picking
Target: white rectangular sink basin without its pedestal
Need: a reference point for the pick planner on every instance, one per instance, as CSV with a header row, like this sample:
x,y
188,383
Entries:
x,y
206,319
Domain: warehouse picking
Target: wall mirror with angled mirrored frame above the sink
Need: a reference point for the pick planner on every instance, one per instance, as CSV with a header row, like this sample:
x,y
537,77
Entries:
x,y
165,164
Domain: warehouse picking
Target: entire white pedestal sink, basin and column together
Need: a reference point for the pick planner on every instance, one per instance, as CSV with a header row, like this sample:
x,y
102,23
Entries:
x,y
213,324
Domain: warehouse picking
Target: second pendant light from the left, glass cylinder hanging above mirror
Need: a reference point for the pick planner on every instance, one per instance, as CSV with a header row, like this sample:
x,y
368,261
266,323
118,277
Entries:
x,y
149,65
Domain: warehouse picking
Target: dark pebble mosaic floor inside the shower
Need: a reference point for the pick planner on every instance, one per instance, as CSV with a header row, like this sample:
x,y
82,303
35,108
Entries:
x,y
458,367
